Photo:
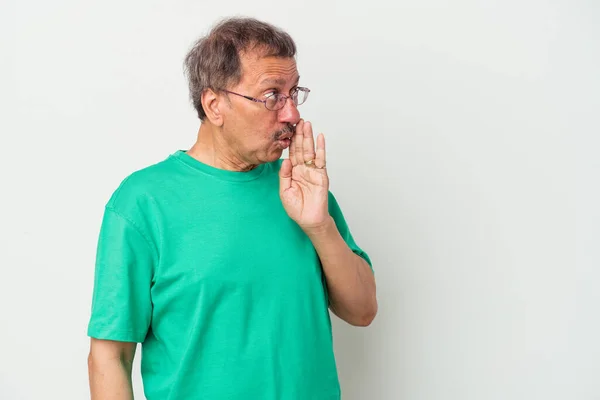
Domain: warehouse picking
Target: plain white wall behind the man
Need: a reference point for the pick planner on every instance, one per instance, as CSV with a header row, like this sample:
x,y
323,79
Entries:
x,y
463,149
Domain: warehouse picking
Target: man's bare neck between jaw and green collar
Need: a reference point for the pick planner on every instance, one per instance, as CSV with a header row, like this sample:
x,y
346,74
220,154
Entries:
x,y
210,149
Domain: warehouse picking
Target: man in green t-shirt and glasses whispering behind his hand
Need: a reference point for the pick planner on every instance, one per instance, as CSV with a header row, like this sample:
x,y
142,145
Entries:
x,y
222,260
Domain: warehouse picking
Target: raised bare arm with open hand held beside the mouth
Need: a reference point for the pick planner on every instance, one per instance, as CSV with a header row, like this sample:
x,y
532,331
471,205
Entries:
x,y
304,191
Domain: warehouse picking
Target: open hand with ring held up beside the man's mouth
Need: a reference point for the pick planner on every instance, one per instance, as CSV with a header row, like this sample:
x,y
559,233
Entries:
x,y
304,189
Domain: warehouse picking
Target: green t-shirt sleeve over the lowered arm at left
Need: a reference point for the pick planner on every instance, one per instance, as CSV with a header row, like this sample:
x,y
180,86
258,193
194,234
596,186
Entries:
x,y
121,303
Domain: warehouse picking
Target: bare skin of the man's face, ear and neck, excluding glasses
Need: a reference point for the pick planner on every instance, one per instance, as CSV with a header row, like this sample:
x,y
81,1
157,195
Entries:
x,y
238,134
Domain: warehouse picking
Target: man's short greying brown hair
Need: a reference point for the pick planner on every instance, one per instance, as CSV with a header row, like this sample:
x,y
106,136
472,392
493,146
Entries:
x,y
214,60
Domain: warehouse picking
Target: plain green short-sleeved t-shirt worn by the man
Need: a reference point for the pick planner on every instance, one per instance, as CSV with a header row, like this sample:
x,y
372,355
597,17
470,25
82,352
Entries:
x,y
225,292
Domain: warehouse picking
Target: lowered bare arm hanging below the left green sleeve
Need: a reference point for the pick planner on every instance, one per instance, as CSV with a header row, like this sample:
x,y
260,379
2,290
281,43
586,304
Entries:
x,y
109,366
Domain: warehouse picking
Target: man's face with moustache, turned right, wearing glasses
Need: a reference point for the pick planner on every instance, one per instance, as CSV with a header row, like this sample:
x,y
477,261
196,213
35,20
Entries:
x,y
249,128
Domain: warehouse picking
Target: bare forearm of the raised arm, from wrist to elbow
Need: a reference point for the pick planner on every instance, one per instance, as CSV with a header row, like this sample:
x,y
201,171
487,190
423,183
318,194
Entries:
x,y
350,281
